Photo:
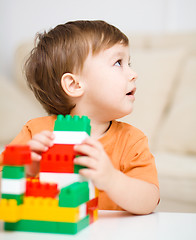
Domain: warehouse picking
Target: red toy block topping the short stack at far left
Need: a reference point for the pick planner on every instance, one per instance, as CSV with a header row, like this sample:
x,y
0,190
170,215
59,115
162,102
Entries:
x,y
17,155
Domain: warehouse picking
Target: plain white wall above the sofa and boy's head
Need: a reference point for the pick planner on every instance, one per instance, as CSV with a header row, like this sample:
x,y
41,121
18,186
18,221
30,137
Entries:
x,y
21,19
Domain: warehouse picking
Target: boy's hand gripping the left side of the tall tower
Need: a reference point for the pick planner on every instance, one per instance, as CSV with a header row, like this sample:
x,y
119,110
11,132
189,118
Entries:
x,y
38,144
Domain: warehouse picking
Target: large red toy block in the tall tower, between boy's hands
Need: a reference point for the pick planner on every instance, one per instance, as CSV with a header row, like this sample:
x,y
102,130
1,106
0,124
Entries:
x,y
59,159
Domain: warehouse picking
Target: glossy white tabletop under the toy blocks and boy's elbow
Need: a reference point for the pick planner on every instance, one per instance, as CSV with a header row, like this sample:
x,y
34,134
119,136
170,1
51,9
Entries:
x,y
117,225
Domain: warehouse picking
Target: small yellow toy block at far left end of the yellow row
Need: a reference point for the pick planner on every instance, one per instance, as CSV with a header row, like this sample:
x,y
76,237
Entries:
x,y
9,210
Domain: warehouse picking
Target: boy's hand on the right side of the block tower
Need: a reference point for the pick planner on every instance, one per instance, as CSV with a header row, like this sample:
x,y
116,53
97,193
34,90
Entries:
x,y
99,167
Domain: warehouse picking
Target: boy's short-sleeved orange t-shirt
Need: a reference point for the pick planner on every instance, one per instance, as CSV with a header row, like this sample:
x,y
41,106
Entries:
x,y
126,146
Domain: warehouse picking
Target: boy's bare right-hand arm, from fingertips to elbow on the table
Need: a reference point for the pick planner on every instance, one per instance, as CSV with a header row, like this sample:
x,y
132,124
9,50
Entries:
x,y
133,195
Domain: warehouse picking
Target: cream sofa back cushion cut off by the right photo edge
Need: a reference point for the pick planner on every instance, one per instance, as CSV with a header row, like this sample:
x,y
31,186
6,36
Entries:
x,y
178,132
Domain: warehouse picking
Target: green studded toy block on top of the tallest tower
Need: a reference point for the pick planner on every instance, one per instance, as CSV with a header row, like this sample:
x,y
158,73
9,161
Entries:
x,y
69,123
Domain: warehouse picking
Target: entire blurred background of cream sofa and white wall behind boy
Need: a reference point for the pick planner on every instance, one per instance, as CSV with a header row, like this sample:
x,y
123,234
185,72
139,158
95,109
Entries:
x,y
162,37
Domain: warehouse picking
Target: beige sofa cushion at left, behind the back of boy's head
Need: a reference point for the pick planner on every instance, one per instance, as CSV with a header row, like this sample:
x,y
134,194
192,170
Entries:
x,y
16,109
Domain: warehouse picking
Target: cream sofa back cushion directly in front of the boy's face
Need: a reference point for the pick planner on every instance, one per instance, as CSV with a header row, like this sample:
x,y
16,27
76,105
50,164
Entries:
x,y
157,71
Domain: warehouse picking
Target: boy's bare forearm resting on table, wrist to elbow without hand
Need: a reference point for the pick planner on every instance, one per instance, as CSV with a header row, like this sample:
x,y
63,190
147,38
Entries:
x,y
133,195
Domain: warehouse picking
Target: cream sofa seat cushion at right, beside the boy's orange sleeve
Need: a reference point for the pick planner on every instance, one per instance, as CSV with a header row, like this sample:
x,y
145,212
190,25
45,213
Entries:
x,y
177,176
